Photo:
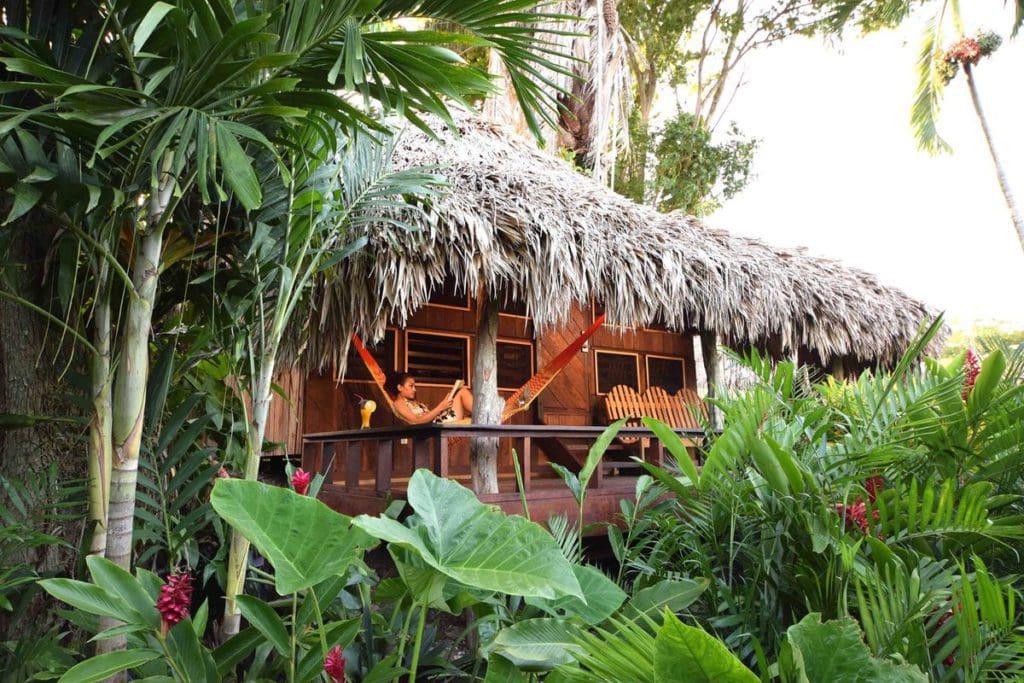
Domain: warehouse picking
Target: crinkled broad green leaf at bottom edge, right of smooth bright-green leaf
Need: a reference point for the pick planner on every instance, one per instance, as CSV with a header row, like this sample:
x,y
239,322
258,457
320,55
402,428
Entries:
x,y
835,652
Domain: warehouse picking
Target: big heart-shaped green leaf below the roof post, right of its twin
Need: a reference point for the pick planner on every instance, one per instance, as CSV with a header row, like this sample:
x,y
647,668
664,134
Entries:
x,y
478,545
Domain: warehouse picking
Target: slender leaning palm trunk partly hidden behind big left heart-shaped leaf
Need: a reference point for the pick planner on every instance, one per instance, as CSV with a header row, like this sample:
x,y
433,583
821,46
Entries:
x,y
238,559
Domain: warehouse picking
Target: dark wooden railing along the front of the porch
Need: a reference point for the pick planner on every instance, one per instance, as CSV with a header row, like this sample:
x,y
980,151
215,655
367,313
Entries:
x,y
340,455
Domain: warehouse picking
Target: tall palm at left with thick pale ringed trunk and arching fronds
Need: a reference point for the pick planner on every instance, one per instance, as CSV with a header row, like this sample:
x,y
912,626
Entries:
x,y
172,102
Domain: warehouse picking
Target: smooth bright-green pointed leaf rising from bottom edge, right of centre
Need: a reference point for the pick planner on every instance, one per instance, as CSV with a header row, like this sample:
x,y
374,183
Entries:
x,y
689,655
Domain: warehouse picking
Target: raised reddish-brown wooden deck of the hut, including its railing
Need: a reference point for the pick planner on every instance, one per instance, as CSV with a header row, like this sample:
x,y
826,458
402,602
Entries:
x,y
366,469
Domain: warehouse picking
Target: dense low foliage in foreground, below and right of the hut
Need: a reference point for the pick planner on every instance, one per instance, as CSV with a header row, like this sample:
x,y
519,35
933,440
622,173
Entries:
x,y
834,532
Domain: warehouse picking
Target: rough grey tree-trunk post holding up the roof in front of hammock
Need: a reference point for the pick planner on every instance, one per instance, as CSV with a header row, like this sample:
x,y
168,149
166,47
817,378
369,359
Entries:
x,y
487,403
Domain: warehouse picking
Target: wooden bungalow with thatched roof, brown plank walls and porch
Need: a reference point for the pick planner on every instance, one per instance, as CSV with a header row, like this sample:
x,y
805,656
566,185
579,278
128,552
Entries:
x,y
522,237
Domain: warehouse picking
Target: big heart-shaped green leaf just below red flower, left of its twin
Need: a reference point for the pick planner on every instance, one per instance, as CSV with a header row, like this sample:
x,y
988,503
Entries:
x,y
306,541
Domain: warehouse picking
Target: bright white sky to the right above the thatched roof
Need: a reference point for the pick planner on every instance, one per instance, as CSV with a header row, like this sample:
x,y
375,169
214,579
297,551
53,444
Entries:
x,y
839,173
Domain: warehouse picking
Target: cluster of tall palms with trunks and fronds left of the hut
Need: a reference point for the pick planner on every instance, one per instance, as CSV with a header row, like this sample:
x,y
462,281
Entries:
x,y
150,132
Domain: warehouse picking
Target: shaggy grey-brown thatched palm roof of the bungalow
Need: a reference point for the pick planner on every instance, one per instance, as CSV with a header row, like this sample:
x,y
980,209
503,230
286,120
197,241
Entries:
x,y
524,223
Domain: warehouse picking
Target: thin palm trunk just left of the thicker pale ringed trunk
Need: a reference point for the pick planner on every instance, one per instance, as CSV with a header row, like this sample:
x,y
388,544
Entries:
x,y
101,439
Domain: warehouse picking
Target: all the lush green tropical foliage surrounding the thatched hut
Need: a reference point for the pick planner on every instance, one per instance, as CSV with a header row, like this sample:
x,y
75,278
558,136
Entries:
x,y
198,165
